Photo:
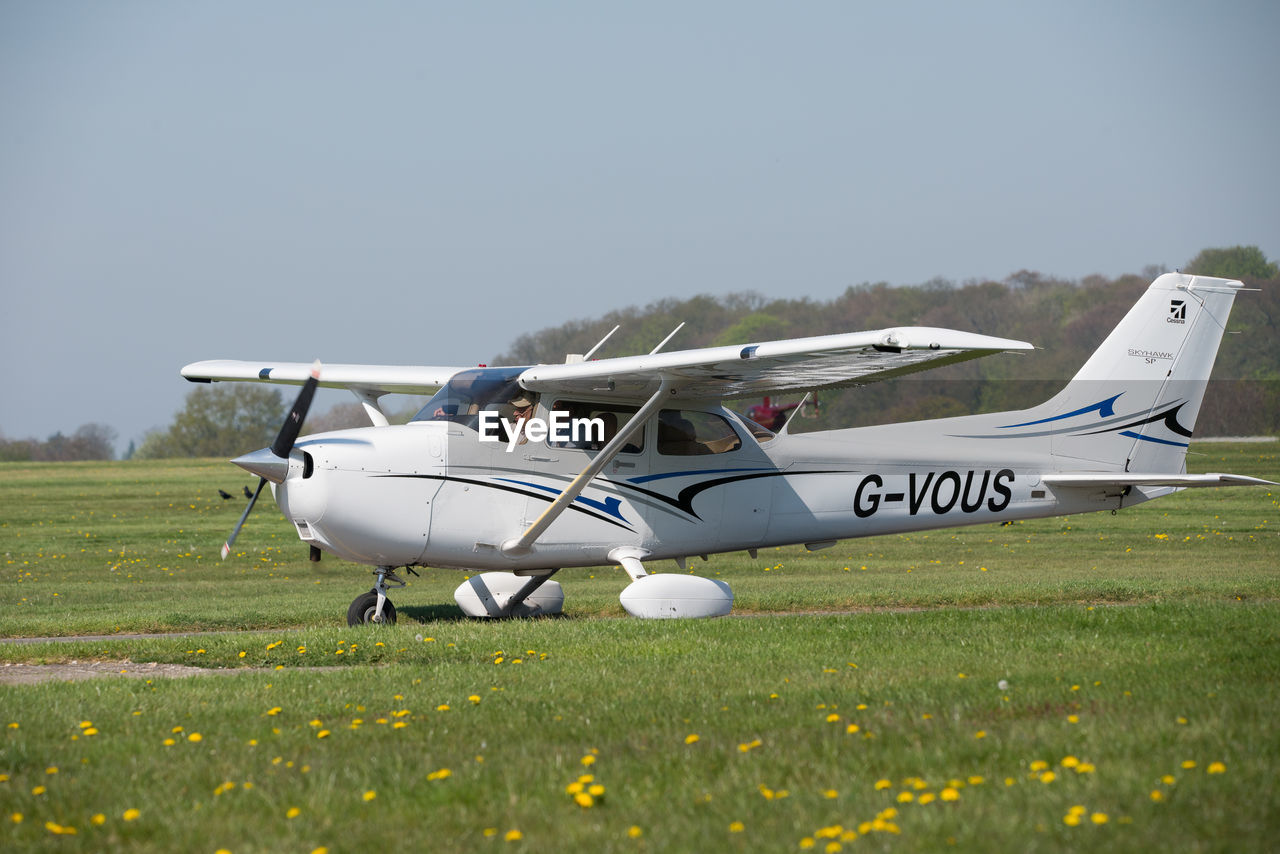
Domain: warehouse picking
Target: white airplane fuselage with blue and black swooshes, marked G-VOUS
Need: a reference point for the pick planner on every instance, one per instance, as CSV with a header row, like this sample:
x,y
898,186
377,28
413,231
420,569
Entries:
x,y
433,494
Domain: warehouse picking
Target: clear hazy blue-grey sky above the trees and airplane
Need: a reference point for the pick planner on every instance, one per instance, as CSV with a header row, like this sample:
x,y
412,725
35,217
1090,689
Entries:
x,y
422,182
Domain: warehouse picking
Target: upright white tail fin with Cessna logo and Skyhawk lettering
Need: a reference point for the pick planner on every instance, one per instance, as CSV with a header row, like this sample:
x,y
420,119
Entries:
x,y
1133,405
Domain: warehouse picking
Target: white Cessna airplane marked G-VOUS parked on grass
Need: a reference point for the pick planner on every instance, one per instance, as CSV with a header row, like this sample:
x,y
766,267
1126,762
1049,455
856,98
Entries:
x,y
520,472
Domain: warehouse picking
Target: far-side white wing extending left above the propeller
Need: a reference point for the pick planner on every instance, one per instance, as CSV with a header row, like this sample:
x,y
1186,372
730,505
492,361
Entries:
x,y
376,380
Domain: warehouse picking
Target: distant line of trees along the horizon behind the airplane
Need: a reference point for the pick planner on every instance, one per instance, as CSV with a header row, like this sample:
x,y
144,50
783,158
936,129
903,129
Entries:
x,y
1066,319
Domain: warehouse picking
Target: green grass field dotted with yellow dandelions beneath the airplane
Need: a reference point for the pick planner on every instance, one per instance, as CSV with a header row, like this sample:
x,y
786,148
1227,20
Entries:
x,y
1096,682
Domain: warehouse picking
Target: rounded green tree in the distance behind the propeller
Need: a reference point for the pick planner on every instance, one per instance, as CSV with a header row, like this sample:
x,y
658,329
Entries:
x,y
220,422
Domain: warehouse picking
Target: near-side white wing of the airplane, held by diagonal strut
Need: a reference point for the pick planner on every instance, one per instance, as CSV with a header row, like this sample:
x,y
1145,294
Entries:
x,y
819,363
